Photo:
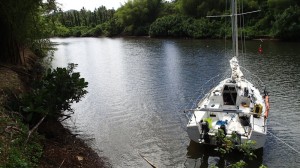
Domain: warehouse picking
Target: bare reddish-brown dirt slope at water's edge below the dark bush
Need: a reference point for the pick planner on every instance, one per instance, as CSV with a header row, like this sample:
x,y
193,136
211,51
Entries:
x,y
62,149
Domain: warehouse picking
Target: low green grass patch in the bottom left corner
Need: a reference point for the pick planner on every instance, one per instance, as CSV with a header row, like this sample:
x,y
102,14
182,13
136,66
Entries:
x,y
13,150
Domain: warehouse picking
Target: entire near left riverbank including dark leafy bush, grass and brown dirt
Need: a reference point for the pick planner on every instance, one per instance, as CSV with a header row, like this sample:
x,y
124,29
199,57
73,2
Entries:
x,y
31,133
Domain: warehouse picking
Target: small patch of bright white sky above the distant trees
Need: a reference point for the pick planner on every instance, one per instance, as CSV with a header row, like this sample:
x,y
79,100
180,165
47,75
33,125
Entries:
x,y
89,4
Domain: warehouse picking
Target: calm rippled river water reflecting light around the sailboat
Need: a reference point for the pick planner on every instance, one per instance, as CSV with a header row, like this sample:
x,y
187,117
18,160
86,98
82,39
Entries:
x,y
139,87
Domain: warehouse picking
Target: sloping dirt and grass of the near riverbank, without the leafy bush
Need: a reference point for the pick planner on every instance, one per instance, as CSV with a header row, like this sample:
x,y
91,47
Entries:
x,y
59,147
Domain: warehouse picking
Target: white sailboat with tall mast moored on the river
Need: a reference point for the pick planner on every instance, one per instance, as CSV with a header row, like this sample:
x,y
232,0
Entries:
x,y
234,106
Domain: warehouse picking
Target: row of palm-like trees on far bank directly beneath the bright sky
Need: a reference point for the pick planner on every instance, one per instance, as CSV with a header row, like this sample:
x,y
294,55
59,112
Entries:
x,y
80,23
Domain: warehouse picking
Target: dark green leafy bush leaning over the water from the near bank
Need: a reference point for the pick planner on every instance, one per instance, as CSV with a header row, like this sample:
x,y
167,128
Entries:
x,y
53,95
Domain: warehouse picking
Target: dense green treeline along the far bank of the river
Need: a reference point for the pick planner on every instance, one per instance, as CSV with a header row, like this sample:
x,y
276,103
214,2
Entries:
x,y
181,18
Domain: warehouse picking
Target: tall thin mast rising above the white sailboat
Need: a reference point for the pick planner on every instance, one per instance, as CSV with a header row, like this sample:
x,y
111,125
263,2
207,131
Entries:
x,y
234,28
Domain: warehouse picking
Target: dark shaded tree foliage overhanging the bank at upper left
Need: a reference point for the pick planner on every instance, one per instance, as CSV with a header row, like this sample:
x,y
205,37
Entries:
x,y
23,26
